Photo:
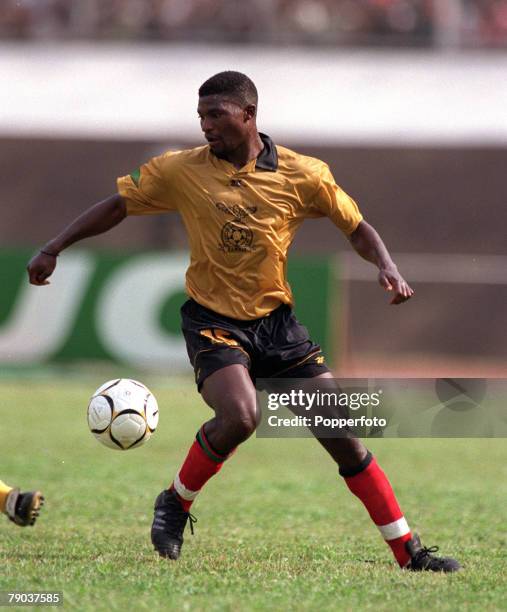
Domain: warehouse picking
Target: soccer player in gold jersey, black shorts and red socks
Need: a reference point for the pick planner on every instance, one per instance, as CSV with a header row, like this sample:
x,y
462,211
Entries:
x,y
242,198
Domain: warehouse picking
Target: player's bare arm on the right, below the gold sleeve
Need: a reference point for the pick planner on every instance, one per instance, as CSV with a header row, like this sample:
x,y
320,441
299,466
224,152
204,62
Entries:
x,y
370,246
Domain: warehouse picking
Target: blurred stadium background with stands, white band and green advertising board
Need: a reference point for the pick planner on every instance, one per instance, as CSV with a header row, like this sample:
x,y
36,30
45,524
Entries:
x,y
405,99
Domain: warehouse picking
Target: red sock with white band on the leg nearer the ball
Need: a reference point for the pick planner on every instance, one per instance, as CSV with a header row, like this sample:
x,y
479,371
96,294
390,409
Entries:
x,y
201,463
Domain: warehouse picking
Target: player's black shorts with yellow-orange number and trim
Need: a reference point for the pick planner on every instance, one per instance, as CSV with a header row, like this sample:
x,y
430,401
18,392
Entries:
x,y
276,345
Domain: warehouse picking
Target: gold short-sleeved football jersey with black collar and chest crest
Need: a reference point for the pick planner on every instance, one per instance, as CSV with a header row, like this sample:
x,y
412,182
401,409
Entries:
x,y
240,223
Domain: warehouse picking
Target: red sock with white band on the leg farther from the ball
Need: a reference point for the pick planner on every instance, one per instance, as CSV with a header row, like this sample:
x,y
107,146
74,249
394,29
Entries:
x,y
372,487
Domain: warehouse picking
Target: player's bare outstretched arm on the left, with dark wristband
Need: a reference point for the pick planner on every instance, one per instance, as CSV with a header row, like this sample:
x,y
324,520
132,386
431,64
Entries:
x,y
96,220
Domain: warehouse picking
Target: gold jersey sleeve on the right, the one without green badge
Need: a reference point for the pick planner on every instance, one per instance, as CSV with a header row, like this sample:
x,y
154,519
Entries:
x,y
331,201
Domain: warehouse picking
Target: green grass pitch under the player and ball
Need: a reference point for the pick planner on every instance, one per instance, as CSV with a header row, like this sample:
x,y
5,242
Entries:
x,y
277,529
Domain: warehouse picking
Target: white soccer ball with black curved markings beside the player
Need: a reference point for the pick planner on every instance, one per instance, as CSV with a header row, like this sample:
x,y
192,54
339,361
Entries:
x,y
122,414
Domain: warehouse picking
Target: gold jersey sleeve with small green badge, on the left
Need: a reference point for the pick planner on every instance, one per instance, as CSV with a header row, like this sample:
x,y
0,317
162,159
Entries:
x,y
148,190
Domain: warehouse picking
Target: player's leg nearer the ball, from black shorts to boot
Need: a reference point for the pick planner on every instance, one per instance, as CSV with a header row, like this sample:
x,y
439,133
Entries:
x,y
218,350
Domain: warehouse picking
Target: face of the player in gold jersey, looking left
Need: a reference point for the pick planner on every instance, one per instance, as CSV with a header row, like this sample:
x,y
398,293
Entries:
x,y
225,124
